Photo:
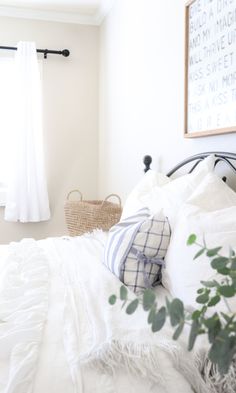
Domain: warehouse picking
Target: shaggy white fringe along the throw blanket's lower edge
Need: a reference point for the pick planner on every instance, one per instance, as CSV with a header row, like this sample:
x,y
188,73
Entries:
x,y
144,360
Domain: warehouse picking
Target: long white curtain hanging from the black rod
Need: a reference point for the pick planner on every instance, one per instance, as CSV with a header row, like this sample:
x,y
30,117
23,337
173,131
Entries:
x,y
27,197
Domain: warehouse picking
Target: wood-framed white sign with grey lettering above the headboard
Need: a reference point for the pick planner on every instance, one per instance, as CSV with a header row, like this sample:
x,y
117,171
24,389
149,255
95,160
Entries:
x,y
210,67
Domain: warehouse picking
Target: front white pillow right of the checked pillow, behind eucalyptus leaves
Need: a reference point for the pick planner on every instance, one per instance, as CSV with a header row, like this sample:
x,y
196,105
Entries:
x,y
182,274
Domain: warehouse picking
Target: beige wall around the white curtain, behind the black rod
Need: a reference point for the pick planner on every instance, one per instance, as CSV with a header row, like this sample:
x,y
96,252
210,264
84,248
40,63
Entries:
x,y
70,87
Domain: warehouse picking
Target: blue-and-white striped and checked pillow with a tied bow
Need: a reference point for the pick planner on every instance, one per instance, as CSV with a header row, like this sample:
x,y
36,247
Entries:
x,y
136,247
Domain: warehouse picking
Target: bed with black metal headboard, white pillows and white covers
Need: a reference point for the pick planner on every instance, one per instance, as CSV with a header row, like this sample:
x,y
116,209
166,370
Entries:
x,y
58,333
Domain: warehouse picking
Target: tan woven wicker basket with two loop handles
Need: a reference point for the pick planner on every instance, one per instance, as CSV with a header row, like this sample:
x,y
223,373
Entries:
x,y
84,216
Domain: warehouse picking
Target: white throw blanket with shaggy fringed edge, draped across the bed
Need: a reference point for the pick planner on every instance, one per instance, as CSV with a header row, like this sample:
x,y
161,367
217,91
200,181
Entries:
x,y
106,339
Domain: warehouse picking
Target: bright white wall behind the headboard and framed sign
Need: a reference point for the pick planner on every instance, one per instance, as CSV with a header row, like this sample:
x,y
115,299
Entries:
x,y
142,93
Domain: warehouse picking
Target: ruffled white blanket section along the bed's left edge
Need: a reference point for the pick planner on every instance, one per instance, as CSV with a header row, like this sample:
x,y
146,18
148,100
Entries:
x,y
23,313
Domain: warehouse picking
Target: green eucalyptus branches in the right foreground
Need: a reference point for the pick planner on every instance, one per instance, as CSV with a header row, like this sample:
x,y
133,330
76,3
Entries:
x,y
220,327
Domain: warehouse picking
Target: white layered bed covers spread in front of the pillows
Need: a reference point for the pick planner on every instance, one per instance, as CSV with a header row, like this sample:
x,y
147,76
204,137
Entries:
x,y
59,334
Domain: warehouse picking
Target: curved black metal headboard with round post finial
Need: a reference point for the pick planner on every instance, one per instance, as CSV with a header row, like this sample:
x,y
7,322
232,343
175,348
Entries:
x,y
220,156
